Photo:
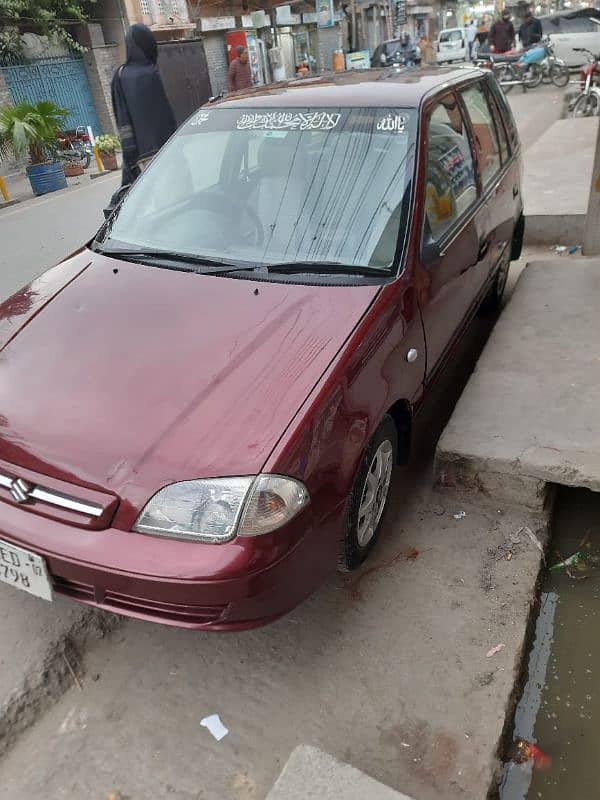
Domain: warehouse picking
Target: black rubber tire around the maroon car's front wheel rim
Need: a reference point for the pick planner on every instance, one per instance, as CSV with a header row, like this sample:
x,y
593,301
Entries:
x,y
351,552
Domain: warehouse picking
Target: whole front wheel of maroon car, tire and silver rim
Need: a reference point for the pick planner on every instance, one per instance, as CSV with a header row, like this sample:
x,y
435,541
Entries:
x,y
369,498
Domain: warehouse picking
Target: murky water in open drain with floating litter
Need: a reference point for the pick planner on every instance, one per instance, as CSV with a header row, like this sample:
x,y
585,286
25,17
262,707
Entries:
x,y
559,711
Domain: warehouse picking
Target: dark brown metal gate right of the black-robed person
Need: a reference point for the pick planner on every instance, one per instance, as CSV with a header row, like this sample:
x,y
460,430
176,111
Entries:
x,y
184,72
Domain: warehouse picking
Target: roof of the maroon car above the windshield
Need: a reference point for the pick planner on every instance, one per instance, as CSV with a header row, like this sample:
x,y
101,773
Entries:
x,y
389,87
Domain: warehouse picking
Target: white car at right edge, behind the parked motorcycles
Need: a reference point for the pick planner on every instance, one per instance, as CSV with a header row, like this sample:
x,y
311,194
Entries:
x,y
570,31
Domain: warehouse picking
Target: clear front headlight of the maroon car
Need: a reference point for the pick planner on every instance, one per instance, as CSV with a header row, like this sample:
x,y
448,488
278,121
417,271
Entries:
x,y
216,510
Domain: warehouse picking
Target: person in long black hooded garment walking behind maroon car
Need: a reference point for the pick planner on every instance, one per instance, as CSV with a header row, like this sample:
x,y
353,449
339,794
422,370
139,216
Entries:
x,y
144,116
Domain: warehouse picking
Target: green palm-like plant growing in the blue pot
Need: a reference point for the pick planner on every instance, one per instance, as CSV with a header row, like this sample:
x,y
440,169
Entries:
x,y
30,129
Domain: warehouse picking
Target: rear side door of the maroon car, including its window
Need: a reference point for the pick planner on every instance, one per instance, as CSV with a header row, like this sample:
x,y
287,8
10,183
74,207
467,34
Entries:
x,y
498,179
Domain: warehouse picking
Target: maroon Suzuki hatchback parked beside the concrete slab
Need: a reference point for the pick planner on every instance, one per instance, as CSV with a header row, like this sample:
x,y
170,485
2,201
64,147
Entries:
x,y
200,411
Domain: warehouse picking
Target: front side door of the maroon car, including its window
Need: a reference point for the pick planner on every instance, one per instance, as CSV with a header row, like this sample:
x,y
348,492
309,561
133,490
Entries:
x,y
455,225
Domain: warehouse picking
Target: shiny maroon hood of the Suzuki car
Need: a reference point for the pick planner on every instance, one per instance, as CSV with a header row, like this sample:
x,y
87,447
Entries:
x,y
125,377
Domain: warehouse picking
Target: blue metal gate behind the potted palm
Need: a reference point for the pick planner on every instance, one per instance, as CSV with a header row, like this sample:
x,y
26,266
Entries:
x,y
61,80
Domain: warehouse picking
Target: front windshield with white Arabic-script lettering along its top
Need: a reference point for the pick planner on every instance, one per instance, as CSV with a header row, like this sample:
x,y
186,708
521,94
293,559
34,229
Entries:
x,y
279,186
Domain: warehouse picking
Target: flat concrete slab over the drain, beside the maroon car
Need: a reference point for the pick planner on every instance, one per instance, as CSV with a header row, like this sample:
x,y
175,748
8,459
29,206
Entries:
x,y
528,417
